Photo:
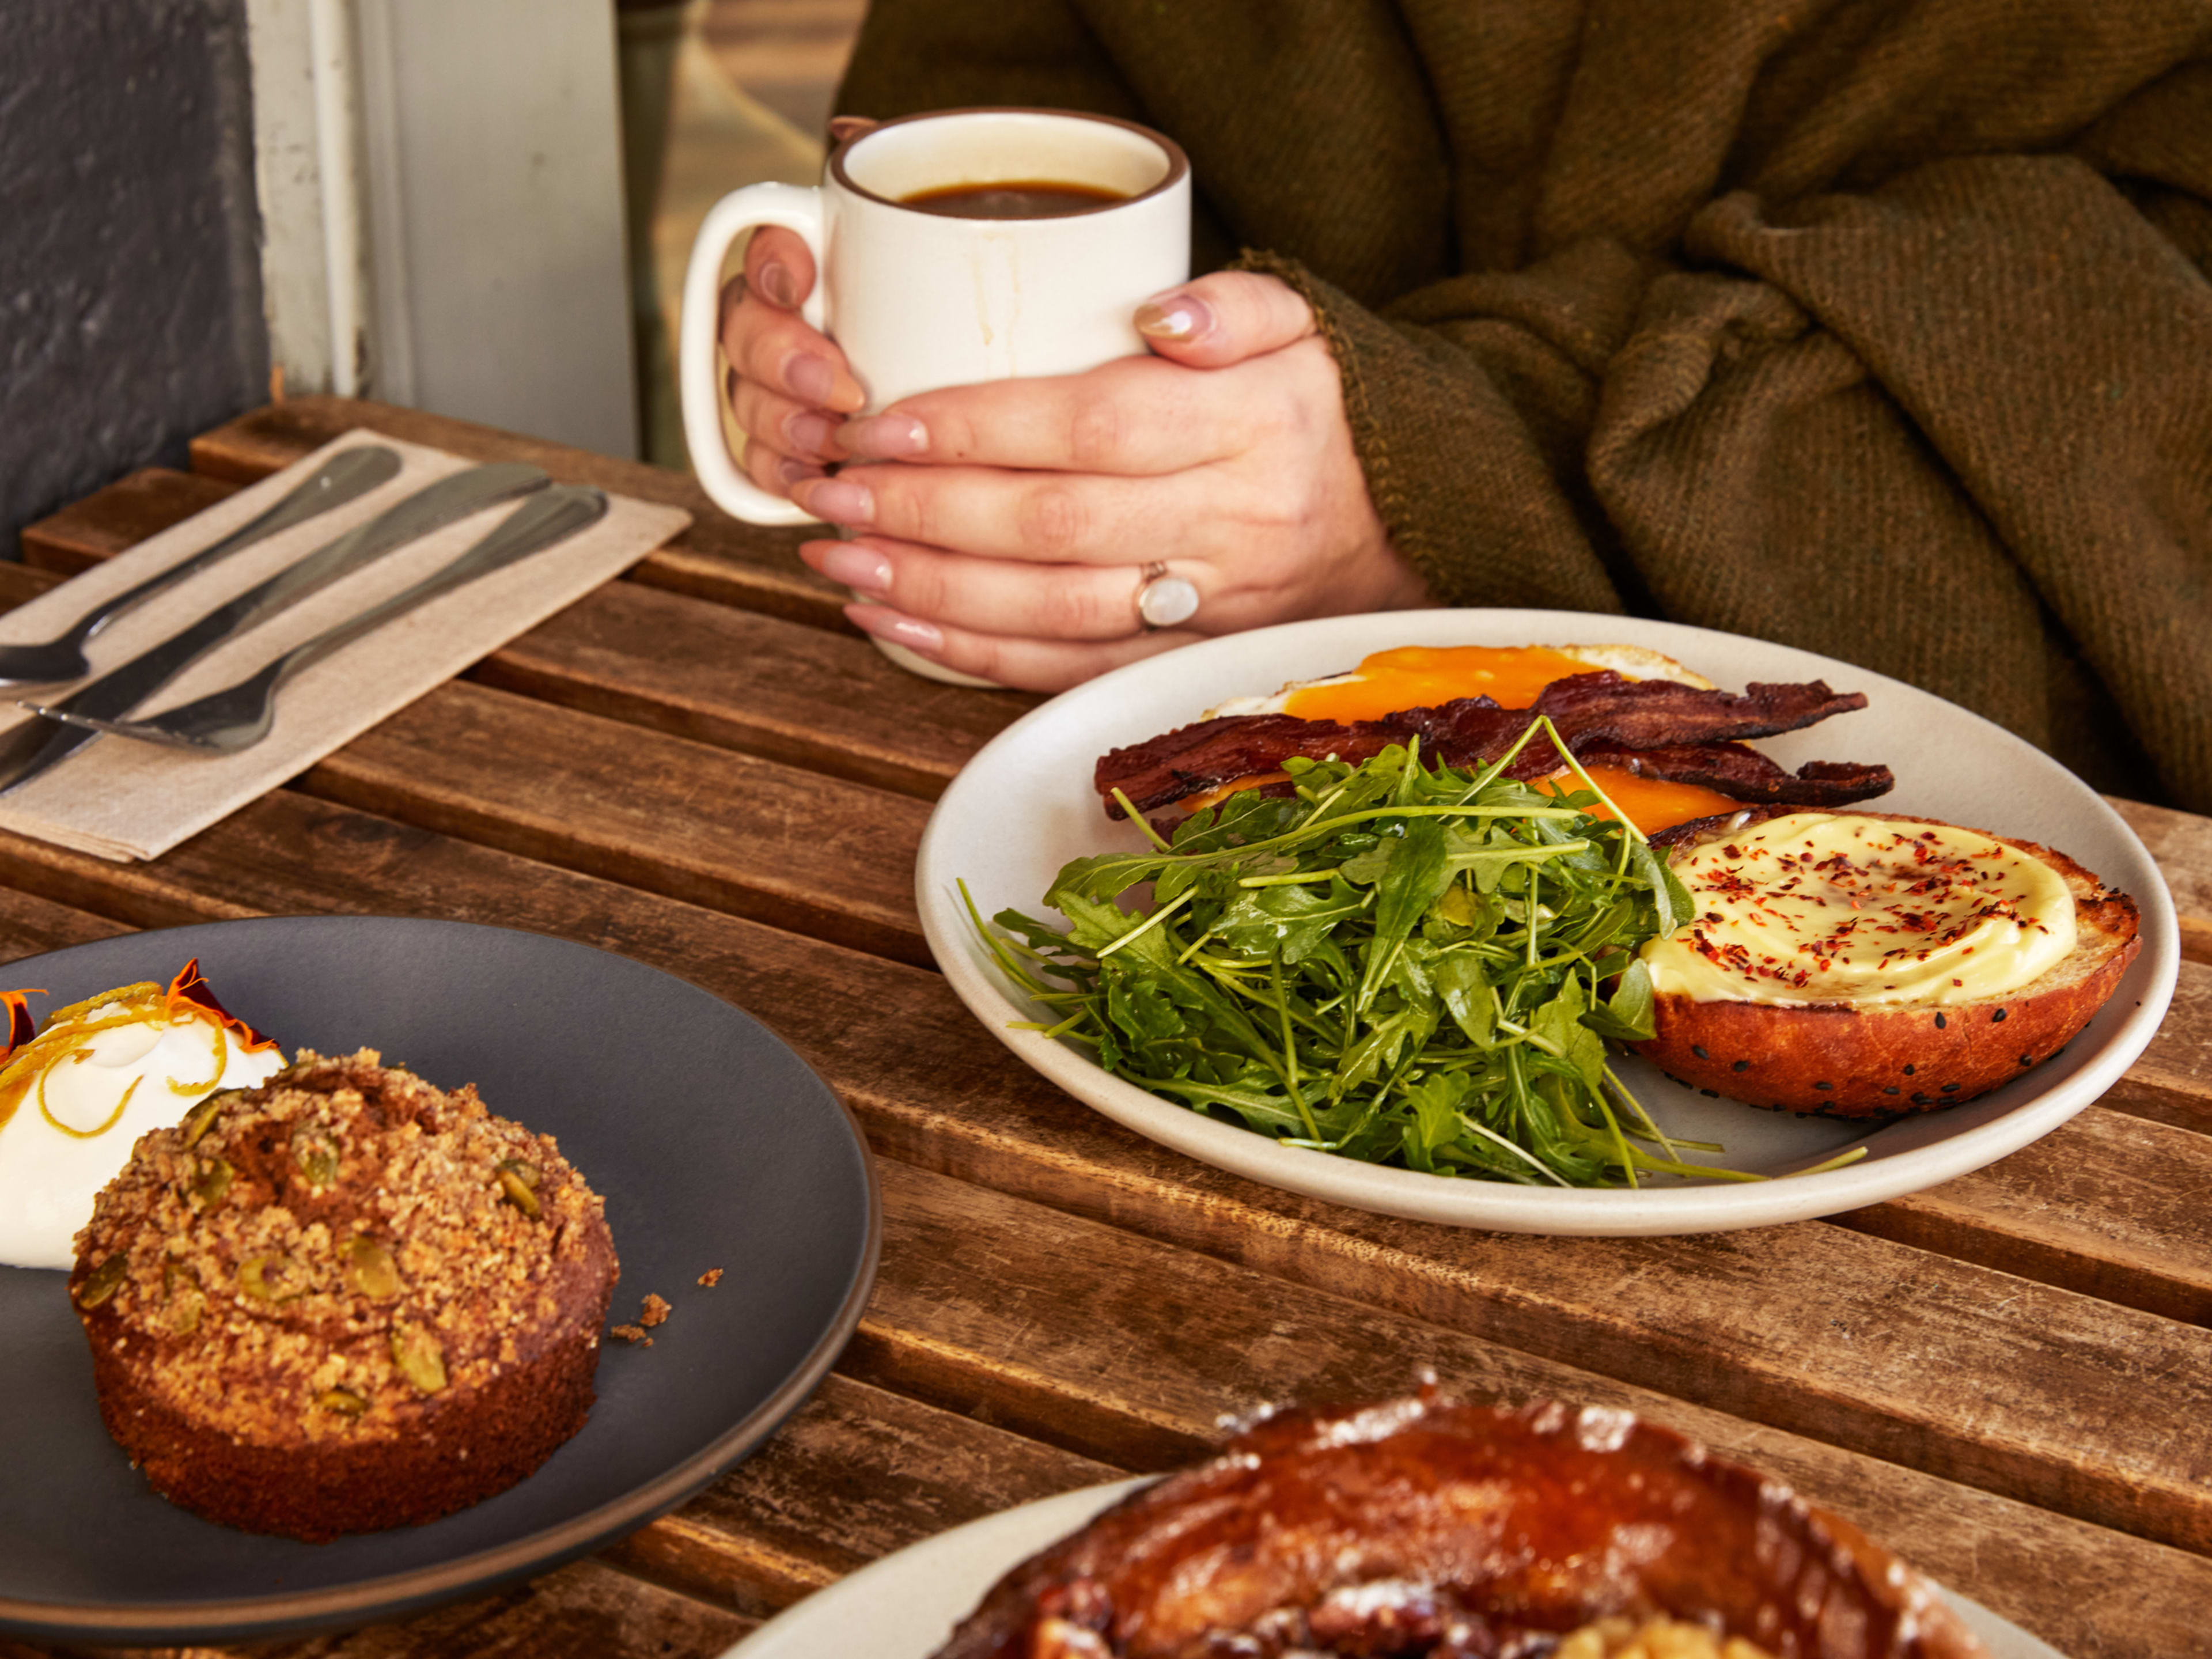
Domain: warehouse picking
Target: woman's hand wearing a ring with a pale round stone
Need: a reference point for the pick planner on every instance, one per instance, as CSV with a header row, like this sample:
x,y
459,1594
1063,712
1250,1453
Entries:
x,y
1008,525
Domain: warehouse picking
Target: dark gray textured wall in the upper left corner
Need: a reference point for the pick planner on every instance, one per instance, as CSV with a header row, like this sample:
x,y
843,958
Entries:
x,y
129,271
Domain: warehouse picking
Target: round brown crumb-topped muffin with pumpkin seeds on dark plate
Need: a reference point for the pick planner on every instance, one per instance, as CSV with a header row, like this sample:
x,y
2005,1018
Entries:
x,y
344,1302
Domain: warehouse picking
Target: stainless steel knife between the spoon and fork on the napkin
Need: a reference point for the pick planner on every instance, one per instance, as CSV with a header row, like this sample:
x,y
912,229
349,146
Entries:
x,y
34,747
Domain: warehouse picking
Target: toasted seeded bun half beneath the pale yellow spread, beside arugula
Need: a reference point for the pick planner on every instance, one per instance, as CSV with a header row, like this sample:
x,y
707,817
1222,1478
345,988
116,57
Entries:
x,y
1844,1061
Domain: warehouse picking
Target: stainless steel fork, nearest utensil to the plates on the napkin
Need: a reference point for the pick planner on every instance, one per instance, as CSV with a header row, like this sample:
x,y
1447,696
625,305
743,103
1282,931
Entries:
x,y
240,716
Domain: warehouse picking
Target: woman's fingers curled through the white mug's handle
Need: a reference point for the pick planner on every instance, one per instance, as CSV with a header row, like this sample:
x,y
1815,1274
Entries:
x,y
789,384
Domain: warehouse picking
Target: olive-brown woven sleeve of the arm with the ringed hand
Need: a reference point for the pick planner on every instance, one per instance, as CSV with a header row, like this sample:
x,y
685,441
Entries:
x,y
1954,428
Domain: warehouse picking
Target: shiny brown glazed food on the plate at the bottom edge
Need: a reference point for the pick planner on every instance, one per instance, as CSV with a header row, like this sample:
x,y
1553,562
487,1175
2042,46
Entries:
x,y
1452,1532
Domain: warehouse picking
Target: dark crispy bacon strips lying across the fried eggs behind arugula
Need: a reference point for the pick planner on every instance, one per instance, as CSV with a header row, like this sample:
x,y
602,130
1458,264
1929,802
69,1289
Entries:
x,y
1676,733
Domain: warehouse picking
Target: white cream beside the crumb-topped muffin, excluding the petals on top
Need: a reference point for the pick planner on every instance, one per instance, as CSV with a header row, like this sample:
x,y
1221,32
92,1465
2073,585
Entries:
x,y
61,1149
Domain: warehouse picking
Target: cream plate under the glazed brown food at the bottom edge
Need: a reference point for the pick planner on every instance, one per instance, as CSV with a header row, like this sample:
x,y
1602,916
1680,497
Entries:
x,y
906,1605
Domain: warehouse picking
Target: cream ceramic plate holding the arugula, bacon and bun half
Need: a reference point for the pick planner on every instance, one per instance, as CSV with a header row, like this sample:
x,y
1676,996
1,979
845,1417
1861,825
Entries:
x,y
1025,806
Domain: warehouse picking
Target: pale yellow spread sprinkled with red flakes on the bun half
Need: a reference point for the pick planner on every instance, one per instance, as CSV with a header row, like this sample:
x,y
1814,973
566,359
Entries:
x,y
1844,908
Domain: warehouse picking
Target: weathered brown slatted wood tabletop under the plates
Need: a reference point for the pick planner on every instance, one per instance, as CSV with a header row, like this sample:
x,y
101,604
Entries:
x,y
2010,1379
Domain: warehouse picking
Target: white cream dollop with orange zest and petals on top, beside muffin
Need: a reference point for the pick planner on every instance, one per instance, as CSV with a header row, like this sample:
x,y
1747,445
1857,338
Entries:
x,y
76,1098
